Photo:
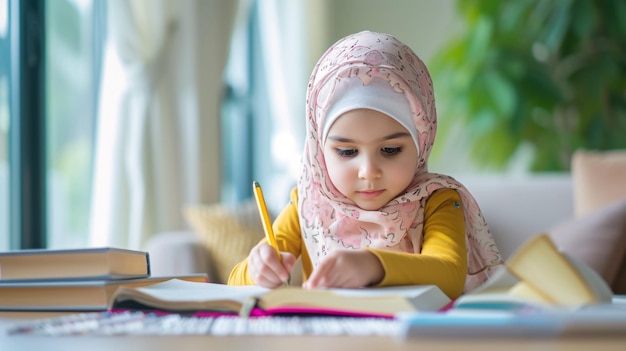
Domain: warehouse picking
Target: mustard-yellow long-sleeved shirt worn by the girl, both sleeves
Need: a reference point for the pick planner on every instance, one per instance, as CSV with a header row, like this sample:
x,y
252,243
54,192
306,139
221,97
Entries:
x,y
442,260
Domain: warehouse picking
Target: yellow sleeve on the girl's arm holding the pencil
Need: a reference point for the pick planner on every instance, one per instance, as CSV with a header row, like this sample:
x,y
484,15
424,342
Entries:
x,y
287,230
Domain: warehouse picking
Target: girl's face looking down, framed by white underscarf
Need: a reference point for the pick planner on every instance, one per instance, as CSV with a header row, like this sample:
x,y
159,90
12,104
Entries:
x,y
370,157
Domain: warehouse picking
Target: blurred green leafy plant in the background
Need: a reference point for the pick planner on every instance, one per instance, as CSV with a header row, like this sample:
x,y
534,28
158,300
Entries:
x,y
546,73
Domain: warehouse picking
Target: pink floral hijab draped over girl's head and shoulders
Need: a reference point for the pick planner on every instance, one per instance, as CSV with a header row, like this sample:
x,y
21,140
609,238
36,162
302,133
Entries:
x,y
328,219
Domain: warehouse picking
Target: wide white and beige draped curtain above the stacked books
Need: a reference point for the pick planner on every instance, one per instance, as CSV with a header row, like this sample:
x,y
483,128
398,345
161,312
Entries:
x,y
157,143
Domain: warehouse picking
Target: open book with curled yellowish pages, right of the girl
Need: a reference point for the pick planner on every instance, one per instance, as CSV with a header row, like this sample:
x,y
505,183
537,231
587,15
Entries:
x,y
539,275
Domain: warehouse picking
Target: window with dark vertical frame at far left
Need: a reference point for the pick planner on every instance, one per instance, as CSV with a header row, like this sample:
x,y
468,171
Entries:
x,y
66,36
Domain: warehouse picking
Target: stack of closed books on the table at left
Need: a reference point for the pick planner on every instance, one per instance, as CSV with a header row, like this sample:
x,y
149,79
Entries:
x,y
73,279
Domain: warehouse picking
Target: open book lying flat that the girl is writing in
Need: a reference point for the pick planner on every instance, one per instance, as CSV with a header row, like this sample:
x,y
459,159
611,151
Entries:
x,y
183,296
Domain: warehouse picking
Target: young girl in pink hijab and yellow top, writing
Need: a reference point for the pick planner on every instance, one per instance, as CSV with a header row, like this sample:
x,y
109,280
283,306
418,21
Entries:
x,y
366,211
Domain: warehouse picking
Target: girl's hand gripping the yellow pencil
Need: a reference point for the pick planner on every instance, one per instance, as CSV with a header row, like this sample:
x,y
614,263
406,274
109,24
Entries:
x,y
266,269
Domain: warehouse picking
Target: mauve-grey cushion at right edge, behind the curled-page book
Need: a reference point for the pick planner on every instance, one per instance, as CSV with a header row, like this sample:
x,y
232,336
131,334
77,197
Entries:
x,y
598,239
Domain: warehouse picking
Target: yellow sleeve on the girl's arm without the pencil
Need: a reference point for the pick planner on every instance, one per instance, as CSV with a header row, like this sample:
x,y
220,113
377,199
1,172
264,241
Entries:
x,y
443,258
